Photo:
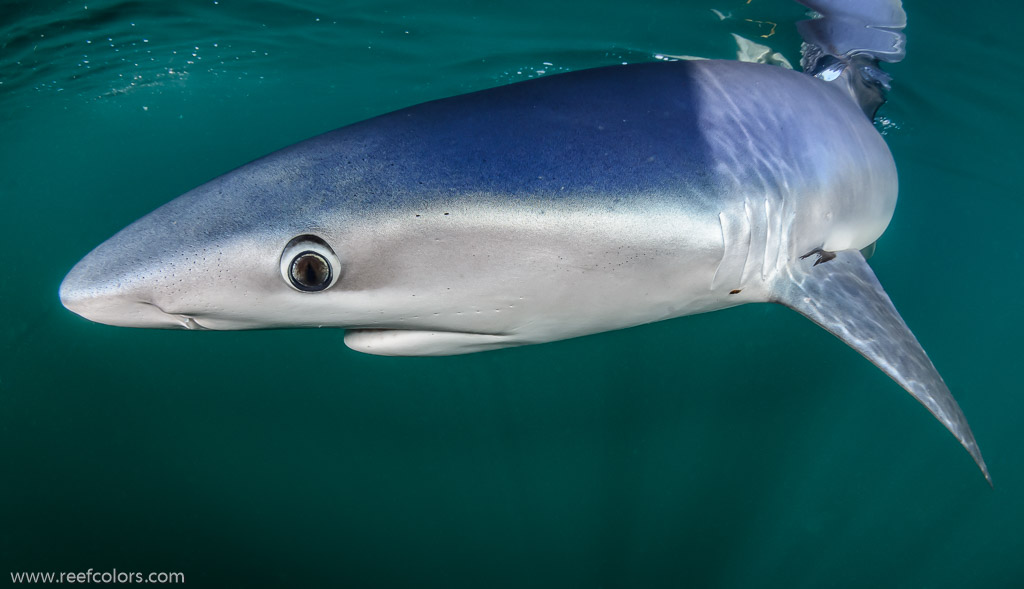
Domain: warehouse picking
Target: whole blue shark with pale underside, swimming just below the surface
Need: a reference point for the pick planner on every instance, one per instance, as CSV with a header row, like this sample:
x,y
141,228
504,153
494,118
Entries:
x,y
554,208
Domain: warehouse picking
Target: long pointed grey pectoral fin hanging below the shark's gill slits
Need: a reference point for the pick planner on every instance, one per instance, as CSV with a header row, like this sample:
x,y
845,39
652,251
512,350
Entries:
x,y
842,296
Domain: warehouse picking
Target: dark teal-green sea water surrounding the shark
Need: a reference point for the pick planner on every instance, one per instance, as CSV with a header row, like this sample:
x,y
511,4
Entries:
x,y
740,449
